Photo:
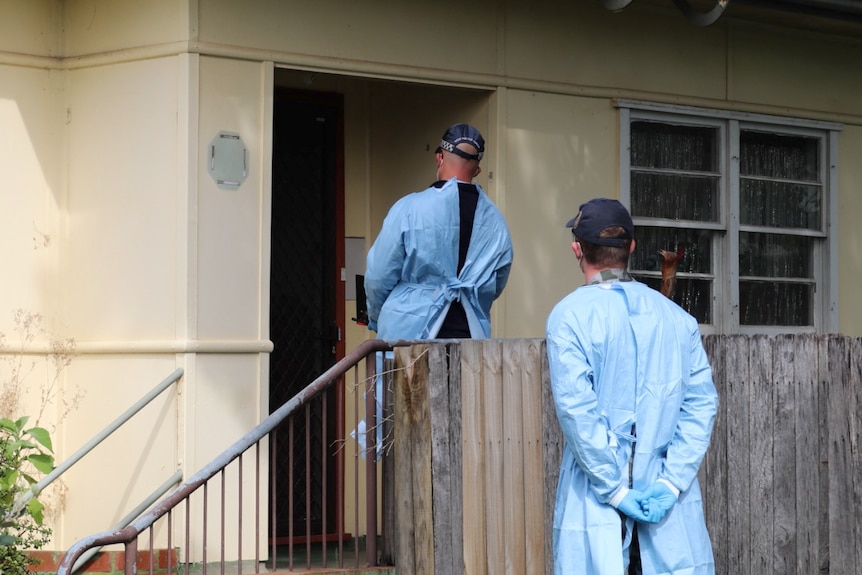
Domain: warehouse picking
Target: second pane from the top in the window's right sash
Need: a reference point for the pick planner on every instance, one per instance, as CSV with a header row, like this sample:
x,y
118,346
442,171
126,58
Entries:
x,y
779,204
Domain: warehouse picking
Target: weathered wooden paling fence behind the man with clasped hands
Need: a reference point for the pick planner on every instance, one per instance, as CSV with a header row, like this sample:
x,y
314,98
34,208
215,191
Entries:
x,y
477,448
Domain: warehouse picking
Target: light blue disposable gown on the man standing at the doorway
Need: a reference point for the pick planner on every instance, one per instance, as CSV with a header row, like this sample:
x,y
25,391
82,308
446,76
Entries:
x,y
411,276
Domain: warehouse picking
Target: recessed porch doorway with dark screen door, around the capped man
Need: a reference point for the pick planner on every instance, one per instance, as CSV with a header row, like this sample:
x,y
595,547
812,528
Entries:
x,y
386,133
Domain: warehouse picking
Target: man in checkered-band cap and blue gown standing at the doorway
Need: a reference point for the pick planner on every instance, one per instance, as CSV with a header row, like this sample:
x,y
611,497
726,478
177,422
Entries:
x,y
443,255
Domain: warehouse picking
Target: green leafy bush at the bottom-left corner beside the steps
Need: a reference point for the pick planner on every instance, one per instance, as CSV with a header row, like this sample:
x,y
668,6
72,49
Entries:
x,y
22,451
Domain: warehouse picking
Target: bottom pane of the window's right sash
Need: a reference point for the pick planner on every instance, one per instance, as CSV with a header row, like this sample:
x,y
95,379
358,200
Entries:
x,y
773,303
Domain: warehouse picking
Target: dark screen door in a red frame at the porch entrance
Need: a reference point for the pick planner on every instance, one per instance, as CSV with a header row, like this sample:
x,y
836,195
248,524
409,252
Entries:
x,y
306,305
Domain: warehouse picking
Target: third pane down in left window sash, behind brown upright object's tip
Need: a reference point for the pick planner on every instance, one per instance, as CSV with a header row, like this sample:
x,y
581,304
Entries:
x,y
693,247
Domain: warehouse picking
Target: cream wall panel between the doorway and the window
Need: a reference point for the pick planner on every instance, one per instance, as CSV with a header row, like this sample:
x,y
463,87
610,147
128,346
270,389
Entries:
x,y
566,153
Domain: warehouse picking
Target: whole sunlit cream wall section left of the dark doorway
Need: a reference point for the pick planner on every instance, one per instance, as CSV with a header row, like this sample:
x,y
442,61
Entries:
x,y
104,228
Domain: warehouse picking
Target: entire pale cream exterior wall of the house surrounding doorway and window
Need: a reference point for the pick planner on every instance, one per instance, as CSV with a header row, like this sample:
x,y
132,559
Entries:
x,y
116,232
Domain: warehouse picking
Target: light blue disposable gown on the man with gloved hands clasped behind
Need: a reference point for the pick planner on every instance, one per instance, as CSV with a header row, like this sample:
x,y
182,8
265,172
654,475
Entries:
x,y
621,353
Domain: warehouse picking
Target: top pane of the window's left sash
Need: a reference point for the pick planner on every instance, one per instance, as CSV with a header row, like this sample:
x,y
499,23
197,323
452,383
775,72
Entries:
x,y
666,146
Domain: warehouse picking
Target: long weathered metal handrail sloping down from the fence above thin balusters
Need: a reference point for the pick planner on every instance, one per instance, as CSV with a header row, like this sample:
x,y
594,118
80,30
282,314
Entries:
x,y
129,534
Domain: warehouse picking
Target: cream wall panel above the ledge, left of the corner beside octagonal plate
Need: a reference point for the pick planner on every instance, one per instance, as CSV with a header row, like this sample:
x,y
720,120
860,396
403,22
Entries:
x,y
121,217
